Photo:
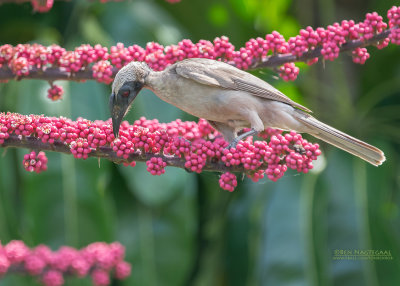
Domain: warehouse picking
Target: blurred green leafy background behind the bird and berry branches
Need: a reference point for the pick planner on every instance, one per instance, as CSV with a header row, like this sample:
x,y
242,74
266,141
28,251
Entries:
x,y
180,228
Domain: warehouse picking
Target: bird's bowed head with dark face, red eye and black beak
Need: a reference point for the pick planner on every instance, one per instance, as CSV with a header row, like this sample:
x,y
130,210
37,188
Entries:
x,y
127,84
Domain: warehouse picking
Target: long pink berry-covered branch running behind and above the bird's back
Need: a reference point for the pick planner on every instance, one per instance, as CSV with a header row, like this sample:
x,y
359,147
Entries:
x,y
103,63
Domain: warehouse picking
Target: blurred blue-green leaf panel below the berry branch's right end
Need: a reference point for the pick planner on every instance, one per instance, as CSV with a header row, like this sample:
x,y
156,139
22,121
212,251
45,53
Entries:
x,y
283,256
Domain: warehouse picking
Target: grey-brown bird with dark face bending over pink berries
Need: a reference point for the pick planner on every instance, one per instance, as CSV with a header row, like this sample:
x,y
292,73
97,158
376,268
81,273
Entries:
x,y
230,99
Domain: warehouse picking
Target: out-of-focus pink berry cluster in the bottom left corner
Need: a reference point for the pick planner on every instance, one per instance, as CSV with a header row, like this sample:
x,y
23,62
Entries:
x,y
99,260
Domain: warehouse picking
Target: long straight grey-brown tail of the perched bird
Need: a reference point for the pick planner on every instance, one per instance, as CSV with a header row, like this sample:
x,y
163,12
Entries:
x,y
341,140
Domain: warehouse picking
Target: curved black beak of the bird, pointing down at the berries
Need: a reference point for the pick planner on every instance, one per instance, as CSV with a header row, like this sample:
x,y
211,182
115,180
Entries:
x,y
118,107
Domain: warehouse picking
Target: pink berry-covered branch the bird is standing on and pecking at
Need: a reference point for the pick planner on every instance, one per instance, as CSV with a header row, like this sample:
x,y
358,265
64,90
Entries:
x,y
196,145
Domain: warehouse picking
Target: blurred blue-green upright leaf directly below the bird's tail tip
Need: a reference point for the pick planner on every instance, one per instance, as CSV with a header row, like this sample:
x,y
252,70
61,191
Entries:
x,y
344,220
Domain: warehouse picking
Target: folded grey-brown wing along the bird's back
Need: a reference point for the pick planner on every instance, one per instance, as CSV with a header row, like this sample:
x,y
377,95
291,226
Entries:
x,y
219,74
